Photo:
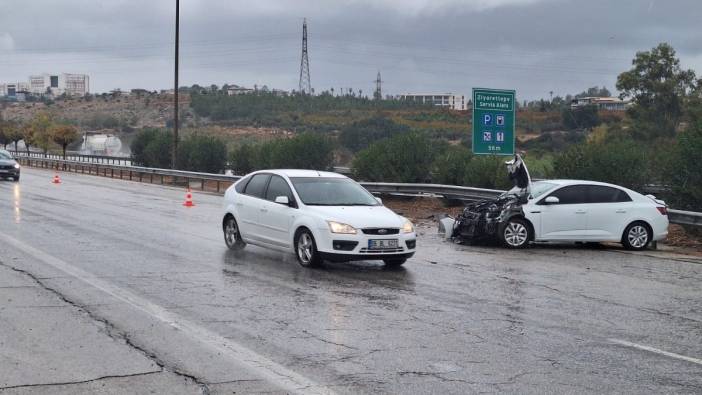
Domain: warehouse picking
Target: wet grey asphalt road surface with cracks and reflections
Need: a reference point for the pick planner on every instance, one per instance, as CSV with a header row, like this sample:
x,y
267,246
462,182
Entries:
x,y
176,312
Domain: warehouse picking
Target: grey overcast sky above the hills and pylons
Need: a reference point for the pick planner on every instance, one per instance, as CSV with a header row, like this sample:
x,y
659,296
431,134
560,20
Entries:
x,y
533,46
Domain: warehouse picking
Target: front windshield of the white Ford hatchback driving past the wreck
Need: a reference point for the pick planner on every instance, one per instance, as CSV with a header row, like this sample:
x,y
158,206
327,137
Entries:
x,y
327,191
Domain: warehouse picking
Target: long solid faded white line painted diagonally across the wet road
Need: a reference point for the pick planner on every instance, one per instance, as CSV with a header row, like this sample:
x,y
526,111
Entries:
x,y
275,373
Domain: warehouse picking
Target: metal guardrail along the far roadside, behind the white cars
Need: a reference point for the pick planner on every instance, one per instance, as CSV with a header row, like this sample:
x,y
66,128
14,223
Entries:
x,y
219,182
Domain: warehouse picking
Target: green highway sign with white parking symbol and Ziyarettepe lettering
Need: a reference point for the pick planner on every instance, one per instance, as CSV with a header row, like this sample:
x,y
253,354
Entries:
x,y
493,121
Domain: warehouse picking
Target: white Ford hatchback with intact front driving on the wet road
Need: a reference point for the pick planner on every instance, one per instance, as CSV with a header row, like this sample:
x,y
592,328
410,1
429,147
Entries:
x,y
317,215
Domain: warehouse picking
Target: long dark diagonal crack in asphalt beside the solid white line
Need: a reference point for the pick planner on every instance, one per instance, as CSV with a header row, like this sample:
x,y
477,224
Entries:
x,y
113,332
